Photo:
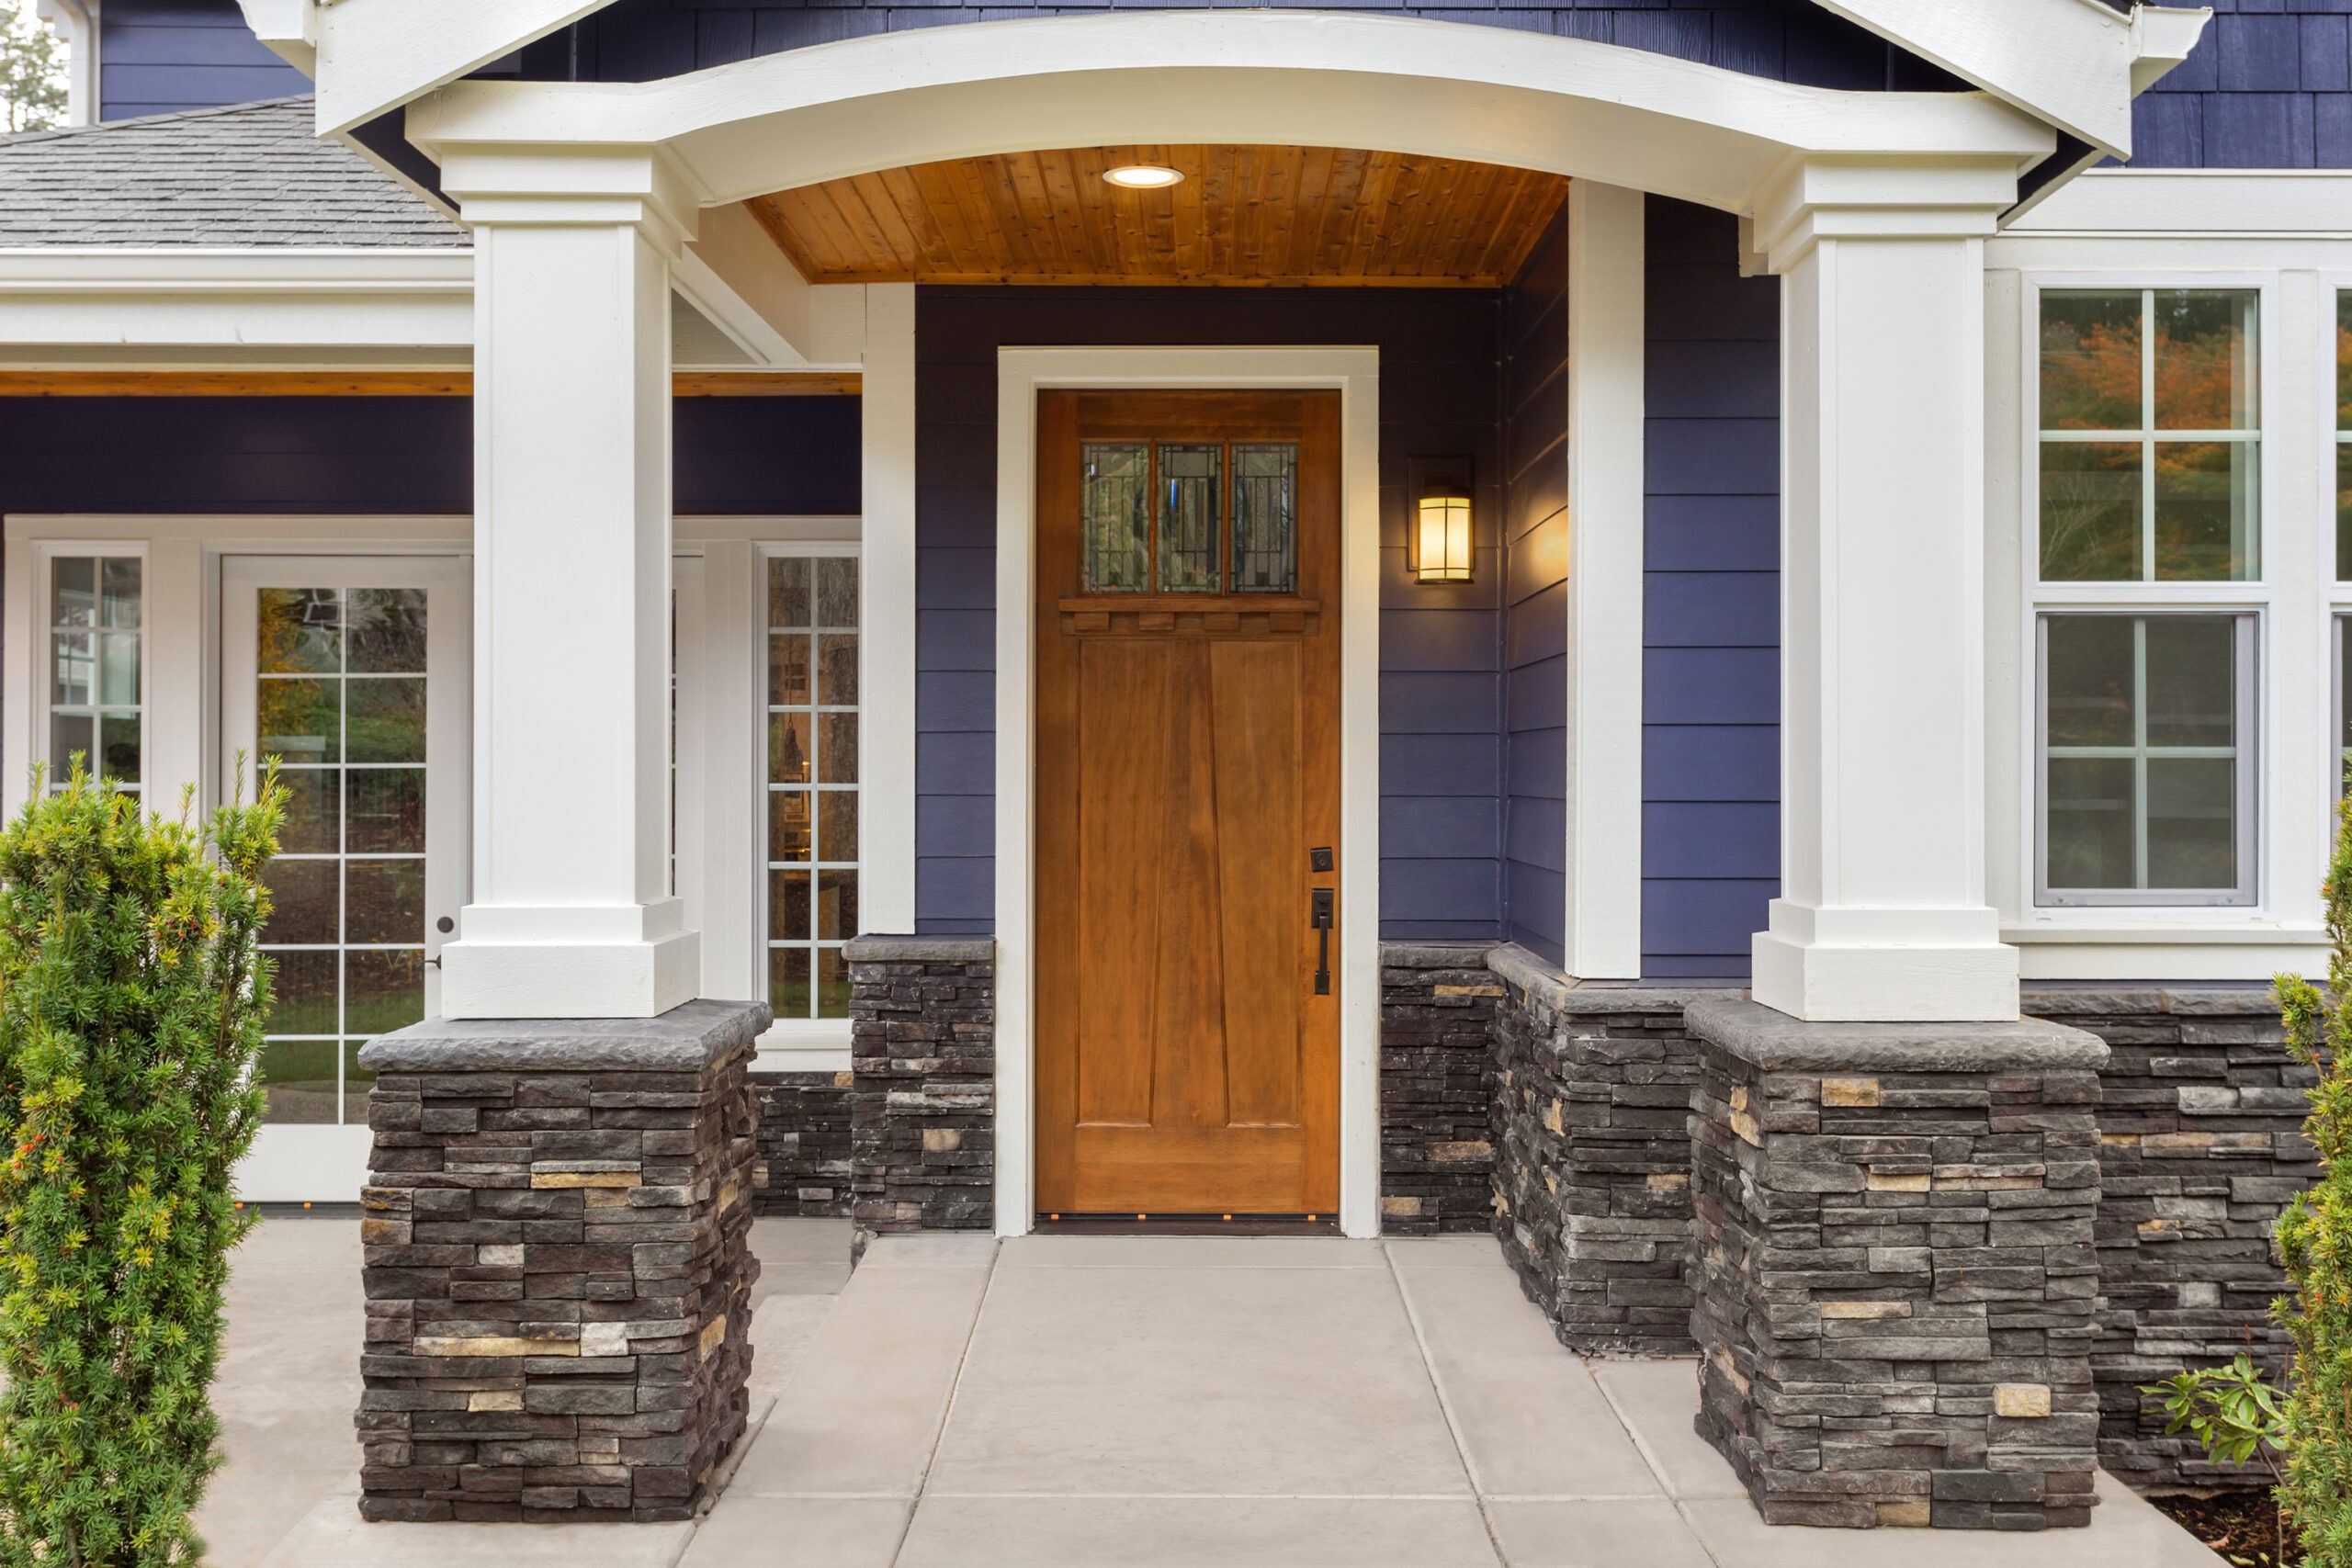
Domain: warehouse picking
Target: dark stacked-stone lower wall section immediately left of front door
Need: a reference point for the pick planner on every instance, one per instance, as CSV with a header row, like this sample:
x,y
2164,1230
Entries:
x,y
923,1099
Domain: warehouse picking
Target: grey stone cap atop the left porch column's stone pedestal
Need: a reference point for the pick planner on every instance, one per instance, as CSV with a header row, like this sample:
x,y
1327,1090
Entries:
x,y
683,1040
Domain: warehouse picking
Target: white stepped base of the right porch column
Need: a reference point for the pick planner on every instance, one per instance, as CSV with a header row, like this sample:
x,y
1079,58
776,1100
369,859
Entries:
x,y
1885,965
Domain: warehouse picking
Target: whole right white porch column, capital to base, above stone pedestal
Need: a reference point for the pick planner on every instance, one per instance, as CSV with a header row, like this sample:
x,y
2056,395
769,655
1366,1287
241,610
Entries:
x,y
1883,591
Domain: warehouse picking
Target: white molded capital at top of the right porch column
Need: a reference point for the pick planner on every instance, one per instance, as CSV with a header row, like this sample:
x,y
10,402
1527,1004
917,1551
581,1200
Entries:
x,y
1878,196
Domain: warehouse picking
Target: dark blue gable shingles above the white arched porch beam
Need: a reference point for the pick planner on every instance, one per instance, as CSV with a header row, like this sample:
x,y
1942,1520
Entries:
x,y
639,41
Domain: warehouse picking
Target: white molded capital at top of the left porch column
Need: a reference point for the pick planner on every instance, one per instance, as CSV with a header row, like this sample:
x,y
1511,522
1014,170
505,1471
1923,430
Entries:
x,y
575,187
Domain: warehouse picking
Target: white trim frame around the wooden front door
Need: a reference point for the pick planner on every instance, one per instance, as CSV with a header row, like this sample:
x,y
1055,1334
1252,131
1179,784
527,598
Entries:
x,y
1356,375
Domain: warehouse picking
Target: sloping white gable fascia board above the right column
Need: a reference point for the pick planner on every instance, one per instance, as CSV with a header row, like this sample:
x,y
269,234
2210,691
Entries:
x,y
2069,62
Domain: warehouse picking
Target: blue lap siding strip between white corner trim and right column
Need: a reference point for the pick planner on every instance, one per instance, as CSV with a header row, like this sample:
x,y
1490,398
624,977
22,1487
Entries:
x,y
1711,728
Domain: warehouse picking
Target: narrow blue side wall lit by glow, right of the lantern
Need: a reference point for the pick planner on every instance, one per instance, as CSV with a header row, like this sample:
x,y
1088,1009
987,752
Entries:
x,y
1537,596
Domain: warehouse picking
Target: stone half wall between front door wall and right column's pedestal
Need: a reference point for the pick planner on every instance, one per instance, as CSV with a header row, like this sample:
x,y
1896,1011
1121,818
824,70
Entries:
x,y
1593,1155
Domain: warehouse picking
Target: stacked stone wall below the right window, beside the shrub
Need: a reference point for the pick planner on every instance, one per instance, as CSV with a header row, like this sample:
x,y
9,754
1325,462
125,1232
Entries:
x,y
2200,1132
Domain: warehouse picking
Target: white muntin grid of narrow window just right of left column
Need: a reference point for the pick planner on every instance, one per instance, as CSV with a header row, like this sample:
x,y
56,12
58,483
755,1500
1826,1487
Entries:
x,y
815,791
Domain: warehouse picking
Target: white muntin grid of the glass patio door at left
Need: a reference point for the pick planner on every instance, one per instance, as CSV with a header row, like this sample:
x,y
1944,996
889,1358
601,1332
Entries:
x,y
345,1040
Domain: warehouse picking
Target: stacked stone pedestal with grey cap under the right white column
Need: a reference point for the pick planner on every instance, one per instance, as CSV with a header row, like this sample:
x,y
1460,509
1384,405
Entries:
x,y
1897,1268
